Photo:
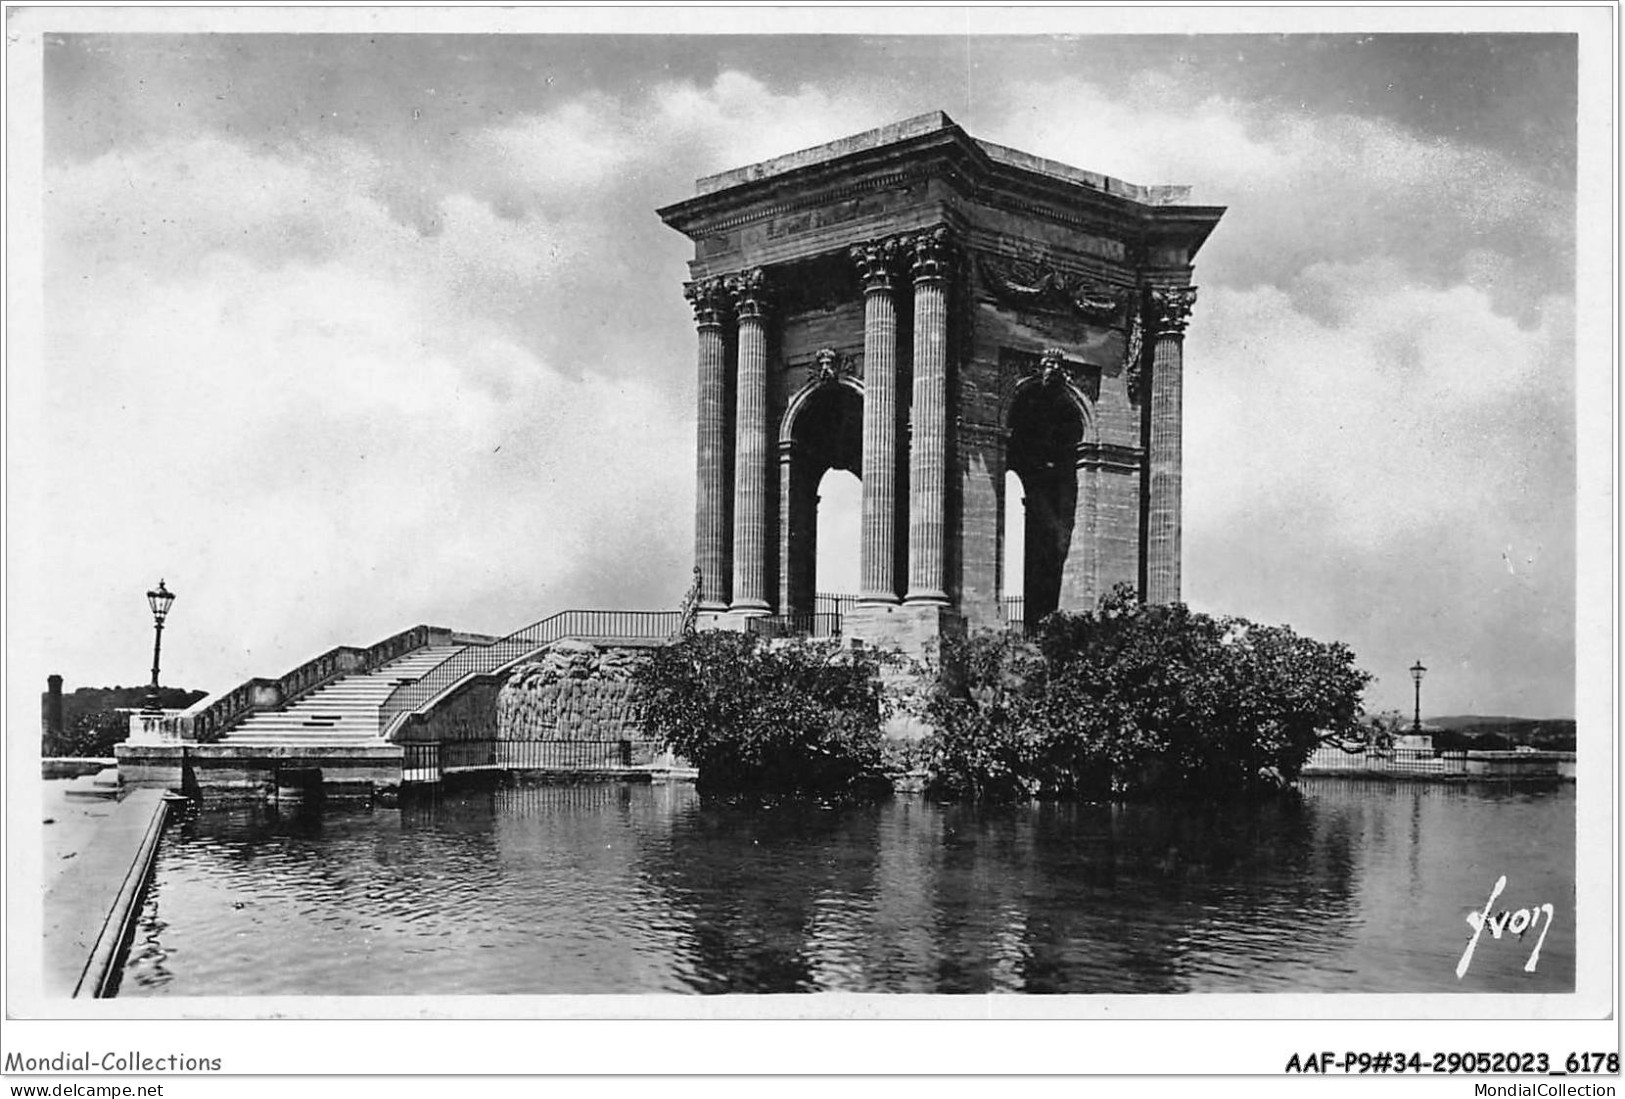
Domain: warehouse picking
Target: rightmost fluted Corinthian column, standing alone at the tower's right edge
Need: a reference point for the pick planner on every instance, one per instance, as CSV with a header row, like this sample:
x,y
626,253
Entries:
x,y
1171,310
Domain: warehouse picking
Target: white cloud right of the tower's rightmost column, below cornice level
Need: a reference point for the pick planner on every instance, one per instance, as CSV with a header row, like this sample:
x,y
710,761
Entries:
x,y
1389,410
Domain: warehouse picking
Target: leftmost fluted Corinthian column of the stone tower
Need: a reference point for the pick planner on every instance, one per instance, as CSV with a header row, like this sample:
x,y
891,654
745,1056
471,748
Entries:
x,y
713,542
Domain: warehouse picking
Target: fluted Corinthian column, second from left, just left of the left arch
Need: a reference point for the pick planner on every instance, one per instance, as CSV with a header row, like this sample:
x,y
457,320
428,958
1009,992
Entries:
x,y
752,451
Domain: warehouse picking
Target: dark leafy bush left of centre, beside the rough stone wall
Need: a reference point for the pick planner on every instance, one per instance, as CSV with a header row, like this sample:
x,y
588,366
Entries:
x,y
766,718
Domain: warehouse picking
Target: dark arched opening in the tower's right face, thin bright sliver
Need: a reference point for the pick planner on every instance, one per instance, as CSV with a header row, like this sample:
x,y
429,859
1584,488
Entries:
x,y
1046,428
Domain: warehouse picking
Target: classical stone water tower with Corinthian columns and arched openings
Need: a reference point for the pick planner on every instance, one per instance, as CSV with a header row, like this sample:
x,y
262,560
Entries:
x,y
930,311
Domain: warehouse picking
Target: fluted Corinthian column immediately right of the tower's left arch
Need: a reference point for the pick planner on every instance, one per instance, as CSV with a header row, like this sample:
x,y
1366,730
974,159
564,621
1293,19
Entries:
x,y
878,542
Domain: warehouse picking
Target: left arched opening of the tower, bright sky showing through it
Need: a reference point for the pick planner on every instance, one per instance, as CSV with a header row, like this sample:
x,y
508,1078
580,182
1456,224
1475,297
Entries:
x,y
821,458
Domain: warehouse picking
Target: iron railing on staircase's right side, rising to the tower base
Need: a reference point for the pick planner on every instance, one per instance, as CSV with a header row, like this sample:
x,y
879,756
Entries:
x,y
498,656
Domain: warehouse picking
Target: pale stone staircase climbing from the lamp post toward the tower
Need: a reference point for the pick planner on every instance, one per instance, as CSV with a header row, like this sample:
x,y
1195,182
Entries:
x,y
344,713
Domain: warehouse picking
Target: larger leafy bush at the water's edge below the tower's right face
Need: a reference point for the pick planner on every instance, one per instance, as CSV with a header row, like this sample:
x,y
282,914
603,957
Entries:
x,y
1140,702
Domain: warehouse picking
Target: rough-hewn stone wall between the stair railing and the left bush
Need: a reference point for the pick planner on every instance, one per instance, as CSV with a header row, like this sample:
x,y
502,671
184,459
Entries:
x,y
573,692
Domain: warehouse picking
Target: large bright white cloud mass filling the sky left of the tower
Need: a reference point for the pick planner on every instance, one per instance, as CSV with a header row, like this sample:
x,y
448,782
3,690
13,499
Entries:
x,y
313,428
